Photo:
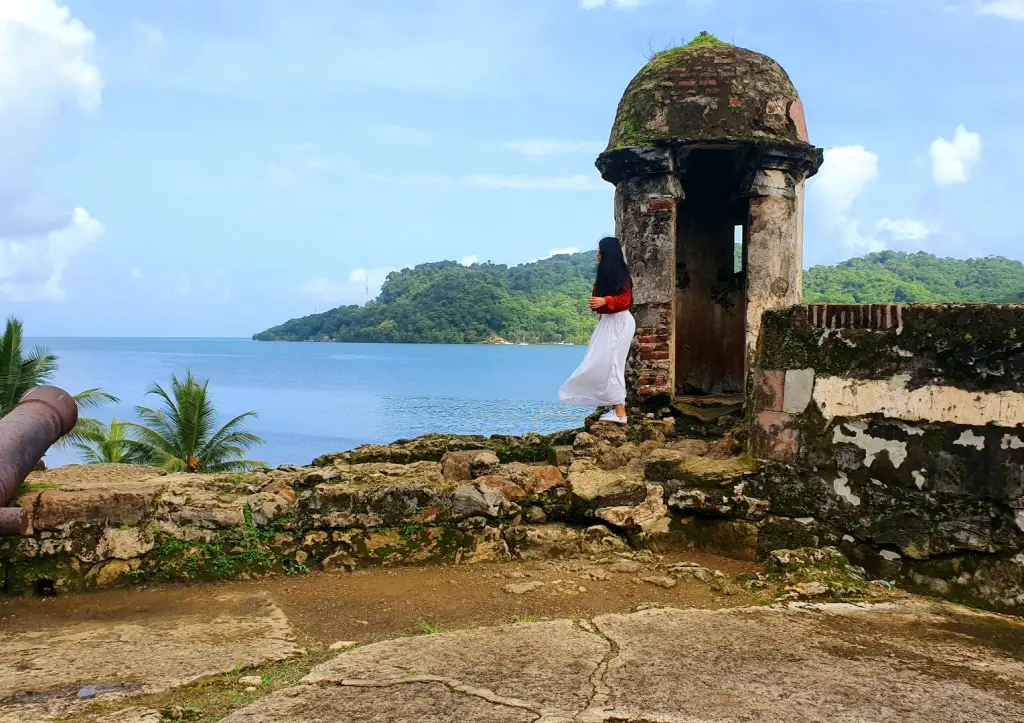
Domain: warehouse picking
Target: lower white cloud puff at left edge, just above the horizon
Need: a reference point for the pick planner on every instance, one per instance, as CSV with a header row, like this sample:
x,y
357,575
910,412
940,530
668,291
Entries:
x,y
32,268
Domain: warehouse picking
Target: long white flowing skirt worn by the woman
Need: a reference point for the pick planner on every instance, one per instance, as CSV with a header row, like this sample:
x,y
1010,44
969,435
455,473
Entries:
x,y
601,379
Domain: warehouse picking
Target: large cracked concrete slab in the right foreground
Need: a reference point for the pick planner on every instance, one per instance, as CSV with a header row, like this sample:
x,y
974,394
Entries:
x,y
916,662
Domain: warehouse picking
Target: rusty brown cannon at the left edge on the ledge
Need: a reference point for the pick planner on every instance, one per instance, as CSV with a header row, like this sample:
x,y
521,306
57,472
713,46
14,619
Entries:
x,y
44,416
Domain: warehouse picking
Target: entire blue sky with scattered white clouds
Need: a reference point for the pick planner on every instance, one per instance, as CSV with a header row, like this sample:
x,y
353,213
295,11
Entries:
x,y
196,168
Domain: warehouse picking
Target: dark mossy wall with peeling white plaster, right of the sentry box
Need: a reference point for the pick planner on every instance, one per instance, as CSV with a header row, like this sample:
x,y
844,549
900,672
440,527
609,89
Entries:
x,y
901,430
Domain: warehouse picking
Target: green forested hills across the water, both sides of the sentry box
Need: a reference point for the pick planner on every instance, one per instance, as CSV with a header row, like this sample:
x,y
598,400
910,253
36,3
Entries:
x,y
446,303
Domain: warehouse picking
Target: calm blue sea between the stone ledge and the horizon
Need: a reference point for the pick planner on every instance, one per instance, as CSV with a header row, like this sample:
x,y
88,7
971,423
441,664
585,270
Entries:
x,y
315,399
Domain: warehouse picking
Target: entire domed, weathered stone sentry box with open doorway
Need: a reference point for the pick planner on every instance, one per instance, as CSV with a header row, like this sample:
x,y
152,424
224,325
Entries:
x,y
709,142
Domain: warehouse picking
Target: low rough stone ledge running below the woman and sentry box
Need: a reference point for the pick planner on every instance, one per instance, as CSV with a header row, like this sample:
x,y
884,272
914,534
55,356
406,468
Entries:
x,y
105,527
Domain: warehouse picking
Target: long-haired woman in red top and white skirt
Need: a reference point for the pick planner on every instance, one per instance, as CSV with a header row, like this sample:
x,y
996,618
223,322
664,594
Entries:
x,y
601,379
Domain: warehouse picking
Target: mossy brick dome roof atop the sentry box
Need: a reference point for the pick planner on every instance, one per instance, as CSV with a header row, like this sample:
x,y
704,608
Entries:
x,y
710,92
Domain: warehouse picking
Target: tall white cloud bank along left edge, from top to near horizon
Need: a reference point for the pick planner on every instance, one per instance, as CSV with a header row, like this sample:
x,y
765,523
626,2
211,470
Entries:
x,y
46,64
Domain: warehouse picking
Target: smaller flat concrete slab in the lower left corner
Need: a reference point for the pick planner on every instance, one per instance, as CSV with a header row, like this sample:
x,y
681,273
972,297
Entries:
x,y
44,668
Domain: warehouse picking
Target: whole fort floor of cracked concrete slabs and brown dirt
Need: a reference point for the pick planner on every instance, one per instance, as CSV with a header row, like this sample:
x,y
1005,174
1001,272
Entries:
x,y
592,645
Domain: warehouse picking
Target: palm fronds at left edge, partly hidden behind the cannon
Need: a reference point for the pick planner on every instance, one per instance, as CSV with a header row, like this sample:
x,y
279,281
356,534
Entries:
x,y
21,372
